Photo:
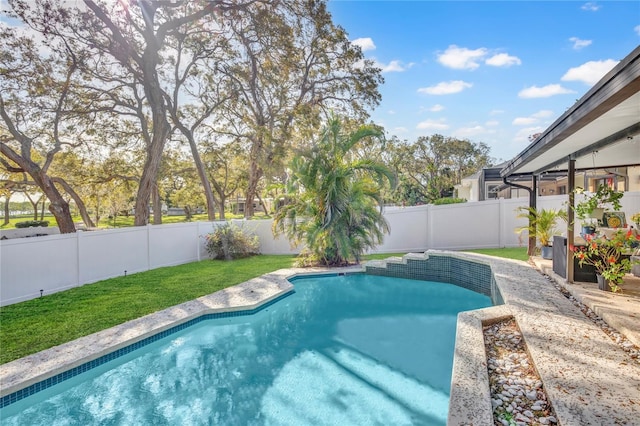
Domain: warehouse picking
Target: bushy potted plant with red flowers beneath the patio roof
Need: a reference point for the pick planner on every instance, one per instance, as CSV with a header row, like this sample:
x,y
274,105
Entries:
x,y
606,255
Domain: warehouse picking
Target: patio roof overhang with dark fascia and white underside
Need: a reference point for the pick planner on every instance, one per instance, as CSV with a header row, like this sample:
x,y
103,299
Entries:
x,y
602,129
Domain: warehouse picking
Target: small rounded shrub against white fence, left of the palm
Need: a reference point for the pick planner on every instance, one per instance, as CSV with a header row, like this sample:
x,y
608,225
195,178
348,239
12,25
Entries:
x,y
229,241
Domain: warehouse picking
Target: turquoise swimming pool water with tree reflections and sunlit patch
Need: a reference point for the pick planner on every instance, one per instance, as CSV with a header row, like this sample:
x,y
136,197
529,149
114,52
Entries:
x,y
348,350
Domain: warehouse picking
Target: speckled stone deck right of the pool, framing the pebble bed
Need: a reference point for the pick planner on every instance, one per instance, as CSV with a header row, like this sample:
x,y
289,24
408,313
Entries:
x,y
588,379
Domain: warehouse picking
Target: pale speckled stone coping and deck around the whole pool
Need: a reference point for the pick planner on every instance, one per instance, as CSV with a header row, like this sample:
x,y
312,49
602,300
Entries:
x,y
602,387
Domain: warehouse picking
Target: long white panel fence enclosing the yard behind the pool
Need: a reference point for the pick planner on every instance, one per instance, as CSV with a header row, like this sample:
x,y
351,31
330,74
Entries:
x,y
58,262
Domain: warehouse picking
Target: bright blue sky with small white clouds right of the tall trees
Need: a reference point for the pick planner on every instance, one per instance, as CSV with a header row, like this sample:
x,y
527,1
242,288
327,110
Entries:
x,y
487,71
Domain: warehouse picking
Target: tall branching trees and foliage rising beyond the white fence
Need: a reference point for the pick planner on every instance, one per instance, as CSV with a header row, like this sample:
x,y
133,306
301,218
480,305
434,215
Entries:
x,y
114,107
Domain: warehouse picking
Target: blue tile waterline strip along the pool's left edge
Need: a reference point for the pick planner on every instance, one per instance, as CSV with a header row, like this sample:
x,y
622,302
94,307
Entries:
x,y
47,383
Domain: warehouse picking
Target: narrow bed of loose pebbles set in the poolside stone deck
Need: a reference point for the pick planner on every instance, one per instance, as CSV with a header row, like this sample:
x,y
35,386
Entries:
x,y
517,394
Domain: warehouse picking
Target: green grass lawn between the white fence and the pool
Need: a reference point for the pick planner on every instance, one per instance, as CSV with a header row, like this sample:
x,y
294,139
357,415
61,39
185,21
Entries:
x,y
38,324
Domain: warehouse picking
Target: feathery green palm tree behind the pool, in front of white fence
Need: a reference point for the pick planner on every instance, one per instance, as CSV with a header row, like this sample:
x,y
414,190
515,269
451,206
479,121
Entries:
x,y
334,203
